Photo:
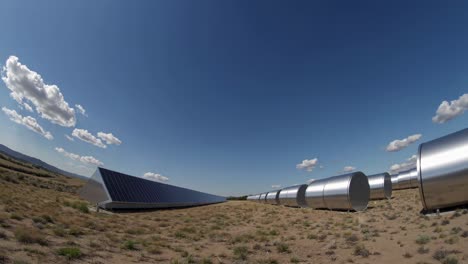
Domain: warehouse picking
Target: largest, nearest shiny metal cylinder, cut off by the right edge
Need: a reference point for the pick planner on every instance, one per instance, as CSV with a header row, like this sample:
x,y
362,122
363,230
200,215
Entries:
x,y
442,168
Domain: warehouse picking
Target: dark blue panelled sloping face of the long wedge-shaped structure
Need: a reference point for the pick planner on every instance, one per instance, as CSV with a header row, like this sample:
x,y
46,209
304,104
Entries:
x,y
126,188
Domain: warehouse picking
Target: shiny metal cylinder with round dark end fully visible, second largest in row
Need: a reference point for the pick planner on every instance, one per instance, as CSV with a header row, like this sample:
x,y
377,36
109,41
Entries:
x,y
345,192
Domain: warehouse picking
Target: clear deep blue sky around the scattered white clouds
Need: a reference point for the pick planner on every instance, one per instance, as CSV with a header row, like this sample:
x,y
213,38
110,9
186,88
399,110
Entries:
x,y
229,96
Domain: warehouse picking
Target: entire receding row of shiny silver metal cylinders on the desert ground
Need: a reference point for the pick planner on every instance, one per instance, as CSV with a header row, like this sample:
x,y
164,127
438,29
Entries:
x,y
441,174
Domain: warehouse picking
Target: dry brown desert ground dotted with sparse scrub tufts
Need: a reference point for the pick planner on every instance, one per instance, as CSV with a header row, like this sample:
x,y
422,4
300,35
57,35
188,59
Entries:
x,y
42,220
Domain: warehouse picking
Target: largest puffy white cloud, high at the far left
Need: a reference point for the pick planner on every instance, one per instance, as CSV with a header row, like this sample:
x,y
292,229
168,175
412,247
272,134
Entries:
x,y
26,84
